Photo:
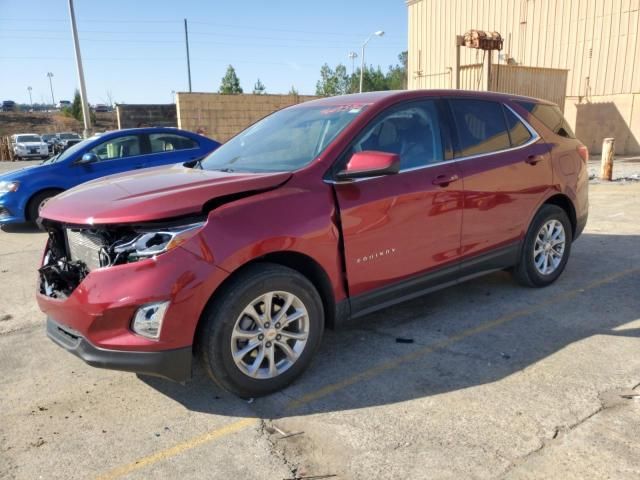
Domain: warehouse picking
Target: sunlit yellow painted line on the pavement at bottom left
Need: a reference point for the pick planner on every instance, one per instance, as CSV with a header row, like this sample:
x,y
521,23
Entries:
x,y
179,448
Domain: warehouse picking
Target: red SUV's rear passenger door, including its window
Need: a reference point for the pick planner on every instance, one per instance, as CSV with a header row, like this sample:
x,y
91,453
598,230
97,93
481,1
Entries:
x,y
506,168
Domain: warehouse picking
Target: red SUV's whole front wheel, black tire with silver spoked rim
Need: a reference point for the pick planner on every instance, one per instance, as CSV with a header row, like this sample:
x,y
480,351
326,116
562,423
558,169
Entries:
x,y
234,310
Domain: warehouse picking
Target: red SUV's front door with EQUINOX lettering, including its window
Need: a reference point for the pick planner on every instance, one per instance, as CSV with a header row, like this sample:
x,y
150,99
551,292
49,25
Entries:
x,y
400,226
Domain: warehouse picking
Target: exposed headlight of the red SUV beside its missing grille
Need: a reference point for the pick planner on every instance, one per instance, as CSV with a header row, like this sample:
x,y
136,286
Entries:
x,y
151,243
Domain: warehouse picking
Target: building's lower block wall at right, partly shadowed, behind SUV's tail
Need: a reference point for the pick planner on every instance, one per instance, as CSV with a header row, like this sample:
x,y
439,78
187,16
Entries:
x,y
595,118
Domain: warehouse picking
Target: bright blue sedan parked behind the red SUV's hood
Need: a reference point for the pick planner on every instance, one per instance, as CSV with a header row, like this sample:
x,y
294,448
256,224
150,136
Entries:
x,y
24,191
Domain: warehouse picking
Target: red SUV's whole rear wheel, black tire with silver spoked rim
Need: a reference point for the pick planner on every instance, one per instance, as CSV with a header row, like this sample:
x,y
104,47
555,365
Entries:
x,y
549,235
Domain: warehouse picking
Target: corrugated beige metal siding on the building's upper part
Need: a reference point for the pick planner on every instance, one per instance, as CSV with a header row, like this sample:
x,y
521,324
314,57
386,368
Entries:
x,y
596,40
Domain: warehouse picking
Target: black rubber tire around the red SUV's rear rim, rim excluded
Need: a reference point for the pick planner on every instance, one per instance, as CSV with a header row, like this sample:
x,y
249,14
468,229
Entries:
x,y
546,213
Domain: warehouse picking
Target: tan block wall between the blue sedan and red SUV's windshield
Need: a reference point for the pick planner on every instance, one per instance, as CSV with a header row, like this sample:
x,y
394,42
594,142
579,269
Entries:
x,y
223,116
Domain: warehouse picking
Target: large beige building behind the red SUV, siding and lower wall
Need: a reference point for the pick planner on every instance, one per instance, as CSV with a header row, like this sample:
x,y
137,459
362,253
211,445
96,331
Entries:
x,y
594,44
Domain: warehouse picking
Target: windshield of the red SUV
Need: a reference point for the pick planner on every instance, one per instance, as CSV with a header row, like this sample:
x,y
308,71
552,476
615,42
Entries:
x,y
284,141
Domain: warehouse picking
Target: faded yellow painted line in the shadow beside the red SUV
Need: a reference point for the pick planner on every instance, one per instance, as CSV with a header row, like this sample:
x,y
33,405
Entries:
x,y
483,327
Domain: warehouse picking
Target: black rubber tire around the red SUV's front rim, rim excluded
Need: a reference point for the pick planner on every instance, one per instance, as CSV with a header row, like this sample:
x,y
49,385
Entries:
x,y
226,311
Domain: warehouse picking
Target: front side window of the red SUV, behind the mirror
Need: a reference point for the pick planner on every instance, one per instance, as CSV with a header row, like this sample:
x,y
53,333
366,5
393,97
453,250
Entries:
x,y
411,131
